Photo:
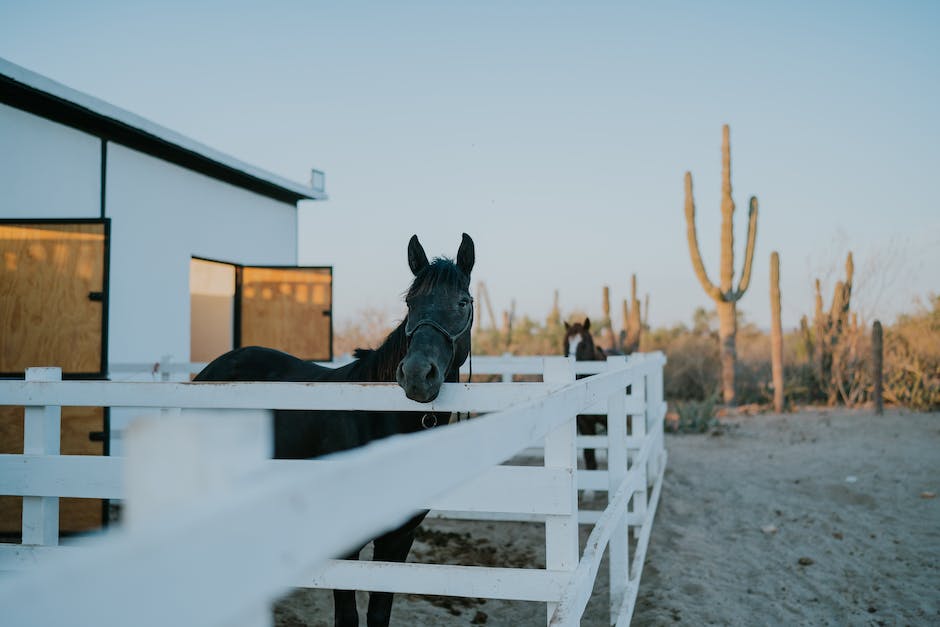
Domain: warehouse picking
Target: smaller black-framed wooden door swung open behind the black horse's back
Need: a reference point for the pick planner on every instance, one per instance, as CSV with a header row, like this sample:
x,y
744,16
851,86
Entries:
x,y
289,309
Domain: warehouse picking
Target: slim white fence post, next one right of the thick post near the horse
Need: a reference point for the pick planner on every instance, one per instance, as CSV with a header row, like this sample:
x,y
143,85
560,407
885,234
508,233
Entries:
x,y
619,547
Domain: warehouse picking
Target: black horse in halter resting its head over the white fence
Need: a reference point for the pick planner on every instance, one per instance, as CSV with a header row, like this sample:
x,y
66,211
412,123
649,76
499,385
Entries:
x,y
425,350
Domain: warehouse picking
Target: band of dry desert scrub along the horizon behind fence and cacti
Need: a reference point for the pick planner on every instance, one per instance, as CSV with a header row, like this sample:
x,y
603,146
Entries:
x,y
691,375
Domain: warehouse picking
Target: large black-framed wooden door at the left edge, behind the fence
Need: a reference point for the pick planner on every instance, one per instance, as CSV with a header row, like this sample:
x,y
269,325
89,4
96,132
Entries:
x,y
52,313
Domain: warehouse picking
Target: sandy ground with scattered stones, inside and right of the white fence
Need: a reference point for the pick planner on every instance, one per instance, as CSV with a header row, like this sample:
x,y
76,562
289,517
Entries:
x,y
817,518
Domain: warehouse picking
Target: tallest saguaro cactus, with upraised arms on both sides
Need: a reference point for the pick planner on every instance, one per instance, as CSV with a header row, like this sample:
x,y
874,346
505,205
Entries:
x,y
724,294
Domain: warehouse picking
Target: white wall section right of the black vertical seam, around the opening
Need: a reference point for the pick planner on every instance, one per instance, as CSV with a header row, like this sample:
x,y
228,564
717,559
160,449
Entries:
x,y
161,215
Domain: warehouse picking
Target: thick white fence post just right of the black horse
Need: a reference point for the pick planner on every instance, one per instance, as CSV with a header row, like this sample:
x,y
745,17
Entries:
x,y
561,532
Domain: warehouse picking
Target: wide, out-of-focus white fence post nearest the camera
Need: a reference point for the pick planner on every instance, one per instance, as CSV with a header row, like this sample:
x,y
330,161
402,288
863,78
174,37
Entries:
x,y
174,460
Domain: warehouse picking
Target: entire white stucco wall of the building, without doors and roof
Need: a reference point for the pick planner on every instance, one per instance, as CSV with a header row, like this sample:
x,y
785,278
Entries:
x,y
161,215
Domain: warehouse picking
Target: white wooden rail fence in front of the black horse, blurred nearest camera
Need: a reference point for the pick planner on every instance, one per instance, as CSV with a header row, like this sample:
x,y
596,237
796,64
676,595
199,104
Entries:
x,y
215,531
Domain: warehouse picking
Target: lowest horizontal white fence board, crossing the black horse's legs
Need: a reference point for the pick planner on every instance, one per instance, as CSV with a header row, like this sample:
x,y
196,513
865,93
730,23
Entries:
x,y
518,584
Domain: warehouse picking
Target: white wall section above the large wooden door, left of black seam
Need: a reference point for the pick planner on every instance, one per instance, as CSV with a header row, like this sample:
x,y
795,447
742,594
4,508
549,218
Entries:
x,y
47,170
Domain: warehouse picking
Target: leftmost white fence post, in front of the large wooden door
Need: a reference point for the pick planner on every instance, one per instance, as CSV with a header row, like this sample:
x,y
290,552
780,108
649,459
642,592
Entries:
x,y
42,426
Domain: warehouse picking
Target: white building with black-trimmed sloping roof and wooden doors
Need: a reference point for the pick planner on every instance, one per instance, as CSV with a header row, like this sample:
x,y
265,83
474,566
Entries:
x,y
122,241
